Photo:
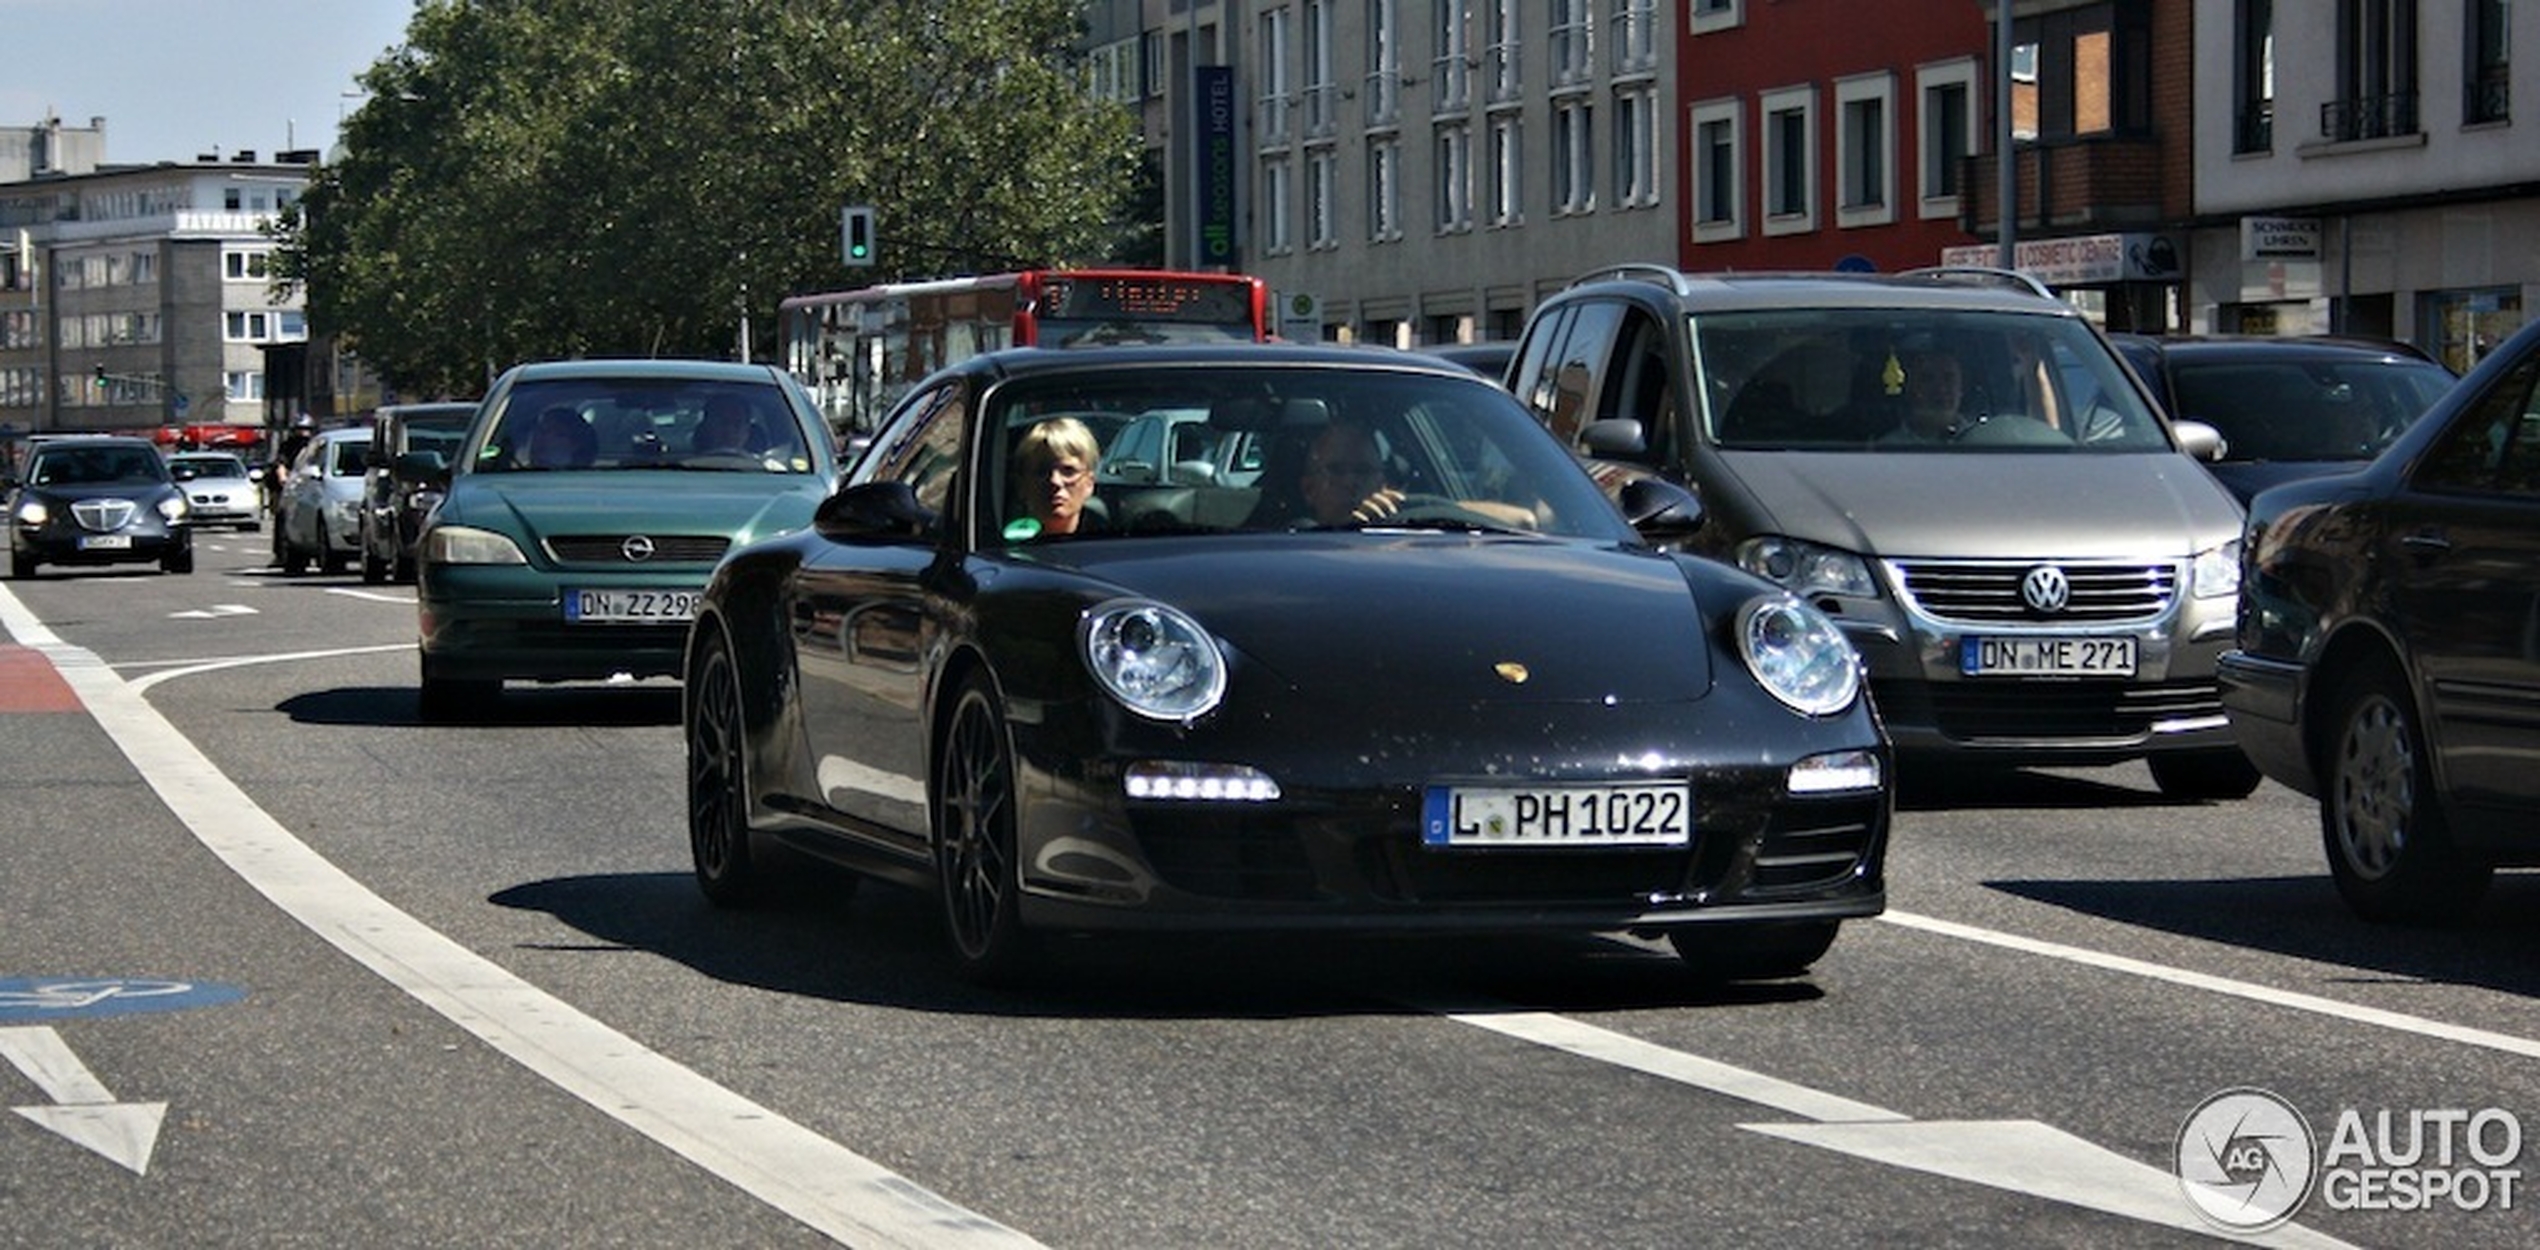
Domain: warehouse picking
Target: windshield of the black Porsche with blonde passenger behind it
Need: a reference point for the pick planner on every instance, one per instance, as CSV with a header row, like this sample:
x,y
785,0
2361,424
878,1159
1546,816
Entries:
x,y
1276,451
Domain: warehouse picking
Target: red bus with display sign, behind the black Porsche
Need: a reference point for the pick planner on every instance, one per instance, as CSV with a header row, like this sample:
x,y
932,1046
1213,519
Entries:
x,y
862,349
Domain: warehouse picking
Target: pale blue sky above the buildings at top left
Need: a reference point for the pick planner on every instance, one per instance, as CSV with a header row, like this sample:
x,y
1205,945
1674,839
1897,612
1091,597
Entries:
x,y
187,77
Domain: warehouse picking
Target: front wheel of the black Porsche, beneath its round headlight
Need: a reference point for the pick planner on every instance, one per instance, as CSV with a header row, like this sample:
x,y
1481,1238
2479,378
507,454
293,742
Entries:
x,y
977,840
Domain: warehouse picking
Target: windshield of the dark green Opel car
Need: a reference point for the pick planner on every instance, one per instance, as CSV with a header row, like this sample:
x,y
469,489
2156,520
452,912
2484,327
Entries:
x,y
646,426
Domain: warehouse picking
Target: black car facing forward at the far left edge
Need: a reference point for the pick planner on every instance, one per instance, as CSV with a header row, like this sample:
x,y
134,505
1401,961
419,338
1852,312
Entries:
x,y
98,502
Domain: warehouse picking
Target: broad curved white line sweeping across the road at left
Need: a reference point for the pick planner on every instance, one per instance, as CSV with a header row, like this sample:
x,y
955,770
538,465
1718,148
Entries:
x,y
794,1170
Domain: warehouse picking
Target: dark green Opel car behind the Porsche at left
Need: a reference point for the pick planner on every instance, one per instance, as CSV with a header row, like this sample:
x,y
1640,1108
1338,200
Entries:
x,y
585,509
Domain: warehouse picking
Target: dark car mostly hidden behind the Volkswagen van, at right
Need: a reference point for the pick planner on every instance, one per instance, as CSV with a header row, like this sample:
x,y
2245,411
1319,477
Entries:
x,y
2287,408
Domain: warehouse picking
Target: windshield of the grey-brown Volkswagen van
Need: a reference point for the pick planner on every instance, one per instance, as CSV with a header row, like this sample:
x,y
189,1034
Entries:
x,y
1916,382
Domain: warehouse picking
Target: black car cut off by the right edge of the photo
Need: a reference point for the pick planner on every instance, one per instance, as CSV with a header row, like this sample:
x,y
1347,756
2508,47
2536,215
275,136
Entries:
x,y
2389,649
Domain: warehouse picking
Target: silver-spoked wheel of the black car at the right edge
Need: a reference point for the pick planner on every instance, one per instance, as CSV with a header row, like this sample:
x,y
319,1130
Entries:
x,y
2381,819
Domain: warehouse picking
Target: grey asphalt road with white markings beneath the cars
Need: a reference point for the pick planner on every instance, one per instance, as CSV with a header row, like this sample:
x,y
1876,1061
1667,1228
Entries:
x,y
286,967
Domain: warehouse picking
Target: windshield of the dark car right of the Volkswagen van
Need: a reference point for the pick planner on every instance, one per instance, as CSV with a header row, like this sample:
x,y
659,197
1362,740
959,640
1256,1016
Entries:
x,y
2308,410
